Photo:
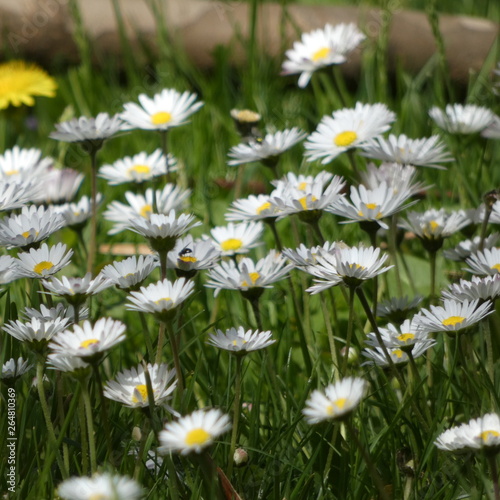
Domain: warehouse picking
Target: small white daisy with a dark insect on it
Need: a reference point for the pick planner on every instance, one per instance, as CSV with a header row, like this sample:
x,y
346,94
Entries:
x,y
189,256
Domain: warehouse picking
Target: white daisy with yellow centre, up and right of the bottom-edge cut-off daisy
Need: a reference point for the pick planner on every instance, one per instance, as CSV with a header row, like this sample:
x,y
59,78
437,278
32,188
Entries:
x,y
193,432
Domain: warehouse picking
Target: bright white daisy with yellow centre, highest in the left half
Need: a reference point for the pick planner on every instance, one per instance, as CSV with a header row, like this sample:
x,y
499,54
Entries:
x,y
163,111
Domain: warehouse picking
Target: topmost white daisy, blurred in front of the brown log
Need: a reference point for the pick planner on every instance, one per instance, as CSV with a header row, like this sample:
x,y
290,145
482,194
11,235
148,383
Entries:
x,y
320,48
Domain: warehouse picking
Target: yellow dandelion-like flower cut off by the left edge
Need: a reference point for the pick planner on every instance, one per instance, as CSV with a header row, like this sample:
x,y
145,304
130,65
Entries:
x,y
20,82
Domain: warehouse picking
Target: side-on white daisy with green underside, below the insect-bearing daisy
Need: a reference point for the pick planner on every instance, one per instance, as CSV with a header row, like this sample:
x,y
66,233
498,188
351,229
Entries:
x,y
161,298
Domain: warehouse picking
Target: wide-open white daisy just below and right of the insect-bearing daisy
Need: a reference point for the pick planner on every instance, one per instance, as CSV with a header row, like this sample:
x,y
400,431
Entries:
x,y
247,275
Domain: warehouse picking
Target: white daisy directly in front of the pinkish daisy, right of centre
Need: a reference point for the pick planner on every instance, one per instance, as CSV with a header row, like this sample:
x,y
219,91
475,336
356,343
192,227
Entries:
x,y
371,205
